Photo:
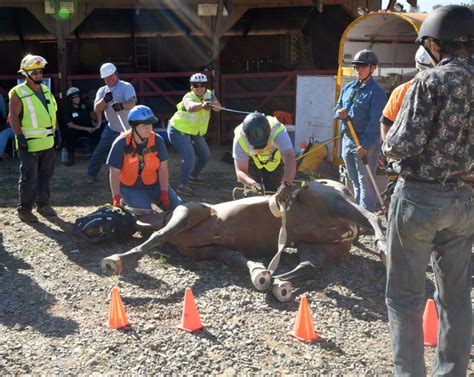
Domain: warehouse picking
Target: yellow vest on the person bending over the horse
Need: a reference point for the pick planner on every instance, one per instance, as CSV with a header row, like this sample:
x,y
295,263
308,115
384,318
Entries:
x,y
269,157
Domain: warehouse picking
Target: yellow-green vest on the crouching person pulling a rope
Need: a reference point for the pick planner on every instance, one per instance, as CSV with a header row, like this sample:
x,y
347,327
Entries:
x,y
191,123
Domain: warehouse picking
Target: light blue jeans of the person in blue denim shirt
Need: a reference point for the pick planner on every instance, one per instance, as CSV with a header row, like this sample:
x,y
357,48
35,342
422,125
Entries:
x,y
364,191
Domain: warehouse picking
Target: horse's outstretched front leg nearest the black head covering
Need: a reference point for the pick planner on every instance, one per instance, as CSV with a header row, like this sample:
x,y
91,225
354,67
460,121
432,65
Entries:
x,y
183,217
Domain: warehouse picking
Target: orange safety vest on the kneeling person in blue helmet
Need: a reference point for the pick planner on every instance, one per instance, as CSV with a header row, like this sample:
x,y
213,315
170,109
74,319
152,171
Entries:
x,y
131,159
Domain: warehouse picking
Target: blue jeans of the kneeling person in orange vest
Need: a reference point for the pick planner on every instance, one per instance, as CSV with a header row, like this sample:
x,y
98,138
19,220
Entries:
x,y
142,198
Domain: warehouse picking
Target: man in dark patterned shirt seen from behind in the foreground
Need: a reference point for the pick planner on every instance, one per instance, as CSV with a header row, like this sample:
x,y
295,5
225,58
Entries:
x,y
432,209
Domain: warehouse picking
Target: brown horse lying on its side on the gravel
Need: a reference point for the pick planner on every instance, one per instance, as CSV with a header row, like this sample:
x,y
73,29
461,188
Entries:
x,y
321,222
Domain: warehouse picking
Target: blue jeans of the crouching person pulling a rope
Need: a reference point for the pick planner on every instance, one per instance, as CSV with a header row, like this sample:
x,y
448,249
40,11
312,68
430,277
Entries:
x,y
188,146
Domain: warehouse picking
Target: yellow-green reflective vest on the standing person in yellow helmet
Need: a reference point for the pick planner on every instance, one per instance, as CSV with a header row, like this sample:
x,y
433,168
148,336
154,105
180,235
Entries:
x,y
37,122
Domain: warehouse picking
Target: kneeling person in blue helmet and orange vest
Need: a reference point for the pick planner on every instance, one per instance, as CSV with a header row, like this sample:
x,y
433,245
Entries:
x,y
138,163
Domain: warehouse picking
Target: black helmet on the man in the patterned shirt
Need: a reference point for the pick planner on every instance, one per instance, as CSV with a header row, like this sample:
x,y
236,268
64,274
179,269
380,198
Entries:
x,y
451,23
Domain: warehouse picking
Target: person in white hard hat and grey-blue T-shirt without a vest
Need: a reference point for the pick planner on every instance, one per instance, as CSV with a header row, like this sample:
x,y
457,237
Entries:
x,y
115,98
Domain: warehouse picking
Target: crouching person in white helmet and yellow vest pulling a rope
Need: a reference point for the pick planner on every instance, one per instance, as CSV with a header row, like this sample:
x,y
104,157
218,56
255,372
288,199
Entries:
x,y
187,127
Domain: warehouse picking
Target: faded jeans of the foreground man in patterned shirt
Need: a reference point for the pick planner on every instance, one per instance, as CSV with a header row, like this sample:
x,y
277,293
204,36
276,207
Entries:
x,y
430,220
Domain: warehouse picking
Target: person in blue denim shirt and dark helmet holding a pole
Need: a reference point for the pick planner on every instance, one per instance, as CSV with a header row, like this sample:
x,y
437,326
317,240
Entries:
x,y
362,101
